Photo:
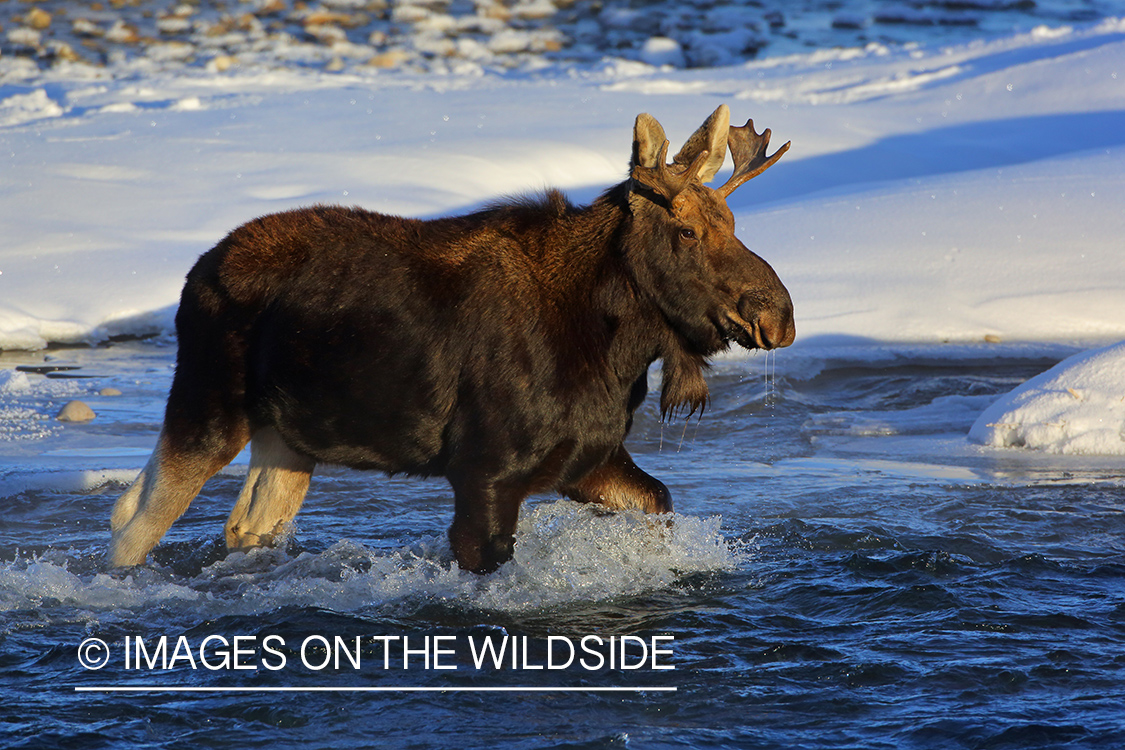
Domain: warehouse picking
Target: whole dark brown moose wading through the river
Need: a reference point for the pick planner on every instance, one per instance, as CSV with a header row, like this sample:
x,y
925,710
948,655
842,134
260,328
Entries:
x,y
506,350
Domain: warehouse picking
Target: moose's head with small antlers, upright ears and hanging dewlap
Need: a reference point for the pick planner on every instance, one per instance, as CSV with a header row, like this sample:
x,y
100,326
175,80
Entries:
x,y
710,288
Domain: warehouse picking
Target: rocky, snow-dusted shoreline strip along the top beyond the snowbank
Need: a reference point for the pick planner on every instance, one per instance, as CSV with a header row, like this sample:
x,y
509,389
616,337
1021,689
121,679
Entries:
x,y
460,37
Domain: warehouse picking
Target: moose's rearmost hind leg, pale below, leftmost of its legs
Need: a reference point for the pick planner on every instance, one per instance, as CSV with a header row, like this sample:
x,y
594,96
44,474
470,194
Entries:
x,y
160,495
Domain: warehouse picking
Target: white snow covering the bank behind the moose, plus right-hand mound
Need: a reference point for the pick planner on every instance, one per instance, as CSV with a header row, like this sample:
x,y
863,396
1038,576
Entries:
x,y
962,201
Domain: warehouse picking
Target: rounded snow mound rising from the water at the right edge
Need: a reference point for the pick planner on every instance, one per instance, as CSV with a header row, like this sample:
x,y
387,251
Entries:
x,y
1078,406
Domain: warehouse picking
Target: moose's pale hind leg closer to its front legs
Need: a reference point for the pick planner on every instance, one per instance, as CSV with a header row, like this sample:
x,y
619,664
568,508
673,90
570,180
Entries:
x,y
275,489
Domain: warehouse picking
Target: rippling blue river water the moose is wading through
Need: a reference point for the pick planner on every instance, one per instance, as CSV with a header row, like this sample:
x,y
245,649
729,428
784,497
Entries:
x,y
841,574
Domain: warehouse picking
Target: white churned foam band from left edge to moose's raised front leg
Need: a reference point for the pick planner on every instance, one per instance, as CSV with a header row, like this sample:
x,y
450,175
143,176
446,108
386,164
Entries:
x,y
565,555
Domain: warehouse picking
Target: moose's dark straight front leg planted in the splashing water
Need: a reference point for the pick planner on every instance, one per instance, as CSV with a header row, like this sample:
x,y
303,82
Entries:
x,y
485,514
